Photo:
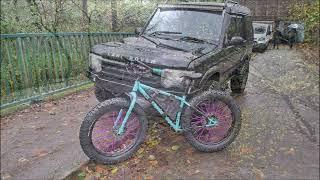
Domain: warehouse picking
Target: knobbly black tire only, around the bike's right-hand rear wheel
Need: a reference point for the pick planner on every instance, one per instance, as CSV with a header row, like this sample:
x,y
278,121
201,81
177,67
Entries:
x,y
236,113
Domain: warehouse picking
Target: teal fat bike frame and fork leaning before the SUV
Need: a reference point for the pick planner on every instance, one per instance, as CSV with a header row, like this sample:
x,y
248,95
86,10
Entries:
x,y
142,88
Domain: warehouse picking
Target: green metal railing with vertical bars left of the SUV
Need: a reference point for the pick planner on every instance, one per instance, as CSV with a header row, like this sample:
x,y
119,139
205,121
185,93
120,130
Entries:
x,y
34,65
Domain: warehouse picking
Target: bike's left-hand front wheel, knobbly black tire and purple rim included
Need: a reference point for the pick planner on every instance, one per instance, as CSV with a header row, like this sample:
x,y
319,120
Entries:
x,y
98,132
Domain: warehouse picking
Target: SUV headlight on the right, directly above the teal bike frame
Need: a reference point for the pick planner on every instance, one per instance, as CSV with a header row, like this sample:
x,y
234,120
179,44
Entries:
x,y
174,78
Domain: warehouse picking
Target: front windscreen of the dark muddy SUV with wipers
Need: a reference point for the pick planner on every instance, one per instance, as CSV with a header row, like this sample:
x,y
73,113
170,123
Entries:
x,y
183,22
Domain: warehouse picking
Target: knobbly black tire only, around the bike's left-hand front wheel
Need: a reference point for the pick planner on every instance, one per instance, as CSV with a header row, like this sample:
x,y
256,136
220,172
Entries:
x,y
94,115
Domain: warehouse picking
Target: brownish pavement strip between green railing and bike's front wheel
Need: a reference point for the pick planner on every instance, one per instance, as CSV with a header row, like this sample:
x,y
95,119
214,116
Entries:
x,y
42,142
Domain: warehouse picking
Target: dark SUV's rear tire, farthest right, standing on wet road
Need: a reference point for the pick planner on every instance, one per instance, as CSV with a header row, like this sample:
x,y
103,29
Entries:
x,y
239,81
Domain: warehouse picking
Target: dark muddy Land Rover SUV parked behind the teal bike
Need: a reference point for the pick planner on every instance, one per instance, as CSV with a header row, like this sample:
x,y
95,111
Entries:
x,y
214,39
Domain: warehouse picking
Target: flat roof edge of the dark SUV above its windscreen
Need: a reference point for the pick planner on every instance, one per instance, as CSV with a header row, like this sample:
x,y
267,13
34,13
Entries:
x,y
232,8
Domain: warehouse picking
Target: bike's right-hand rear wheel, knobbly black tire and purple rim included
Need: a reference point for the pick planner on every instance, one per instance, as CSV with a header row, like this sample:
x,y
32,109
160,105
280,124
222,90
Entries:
x,y
216,137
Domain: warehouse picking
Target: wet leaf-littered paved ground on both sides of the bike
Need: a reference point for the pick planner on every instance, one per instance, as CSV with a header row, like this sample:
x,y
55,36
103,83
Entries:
x,y
279,136
